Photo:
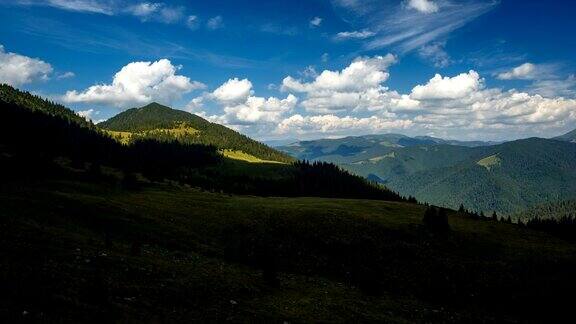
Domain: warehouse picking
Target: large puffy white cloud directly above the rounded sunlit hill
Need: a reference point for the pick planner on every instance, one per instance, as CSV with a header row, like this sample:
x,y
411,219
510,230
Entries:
x,y
138,83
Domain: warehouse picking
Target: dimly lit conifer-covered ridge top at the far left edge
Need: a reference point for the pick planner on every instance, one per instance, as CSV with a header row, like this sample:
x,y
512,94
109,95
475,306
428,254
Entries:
x,y
31,102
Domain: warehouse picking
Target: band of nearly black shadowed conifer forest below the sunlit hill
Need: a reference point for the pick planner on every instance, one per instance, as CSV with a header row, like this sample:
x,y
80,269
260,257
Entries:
x,y
49,137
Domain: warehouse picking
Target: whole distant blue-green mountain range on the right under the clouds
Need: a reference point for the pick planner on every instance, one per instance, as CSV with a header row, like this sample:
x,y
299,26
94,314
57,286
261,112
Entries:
x,y
484,176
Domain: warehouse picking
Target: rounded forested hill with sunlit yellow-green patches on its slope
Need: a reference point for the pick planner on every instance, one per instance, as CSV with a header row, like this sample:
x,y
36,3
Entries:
x,y
153,121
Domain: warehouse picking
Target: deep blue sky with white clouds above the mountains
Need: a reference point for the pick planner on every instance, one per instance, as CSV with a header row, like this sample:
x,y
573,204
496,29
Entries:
x,y
306,69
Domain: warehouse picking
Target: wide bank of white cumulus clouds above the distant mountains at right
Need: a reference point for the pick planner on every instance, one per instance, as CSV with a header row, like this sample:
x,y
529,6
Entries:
x,y
459,106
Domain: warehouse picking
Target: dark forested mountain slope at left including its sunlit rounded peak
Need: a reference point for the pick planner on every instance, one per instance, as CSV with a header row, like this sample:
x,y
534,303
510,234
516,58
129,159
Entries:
x,y
41,140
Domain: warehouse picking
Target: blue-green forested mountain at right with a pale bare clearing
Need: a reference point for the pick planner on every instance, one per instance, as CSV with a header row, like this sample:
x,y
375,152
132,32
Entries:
x,y
505,178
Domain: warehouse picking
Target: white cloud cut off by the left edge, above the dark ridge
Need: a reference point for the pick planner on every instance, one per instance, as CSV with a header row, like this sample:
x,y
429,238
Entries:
x,y
16,69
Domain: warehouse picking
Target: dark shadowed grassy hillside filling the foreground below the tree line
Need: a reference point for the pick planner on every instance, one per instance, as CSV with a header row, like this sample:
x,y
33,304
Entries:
x,y
77,251
